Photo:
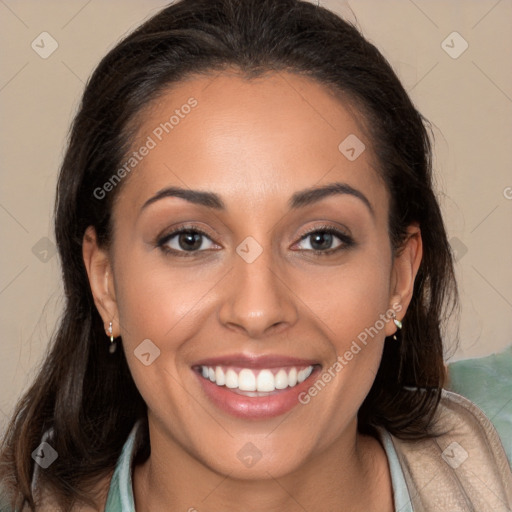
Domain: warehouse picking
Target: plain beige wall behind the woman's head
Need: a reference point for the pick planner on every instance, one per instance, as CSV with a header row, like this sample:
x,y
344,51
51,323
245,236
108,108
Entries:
x,y
468,100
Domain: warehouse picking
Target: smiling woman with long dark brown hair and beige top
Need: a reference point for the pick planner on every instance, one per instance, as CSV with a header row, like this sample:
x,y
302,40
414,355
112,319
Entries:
x,y
256,269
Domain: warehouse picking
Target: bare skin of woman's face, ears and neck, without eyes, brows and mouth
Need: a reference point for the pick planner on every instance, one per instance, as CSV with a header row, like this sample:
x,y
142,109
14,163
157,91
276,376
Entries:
x,y
255,143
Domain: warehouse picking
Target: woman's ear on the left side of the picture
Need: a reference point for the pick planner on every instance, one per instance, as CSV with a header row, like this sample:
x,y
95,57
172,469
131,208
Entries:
x,y
101,279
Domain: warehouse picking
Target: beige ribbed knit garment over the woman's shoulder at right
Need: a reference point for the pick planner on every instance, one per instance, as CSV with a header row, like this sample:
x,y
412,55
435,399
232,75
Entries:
x,y
461,464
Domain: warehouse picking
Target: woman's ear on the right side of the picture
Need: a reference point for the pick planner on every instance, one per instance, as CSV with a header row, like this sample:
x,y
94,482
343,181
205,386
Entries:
x,y
405,267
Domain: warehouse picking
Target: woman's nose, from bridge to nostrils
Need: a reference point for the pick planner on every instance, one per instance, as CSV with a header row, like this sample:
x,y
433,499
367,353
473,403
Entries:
x,y
257,300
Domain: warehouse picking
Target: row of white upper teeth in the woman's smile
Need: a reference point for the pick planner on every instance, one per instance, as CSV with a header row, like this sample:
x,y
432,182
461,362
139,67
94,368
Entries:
x,y
247,380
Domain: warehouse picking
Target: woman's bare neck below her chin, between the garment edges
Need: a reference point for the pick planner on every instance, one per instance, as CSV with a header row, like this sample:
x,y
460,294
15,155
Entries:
x,y
352,475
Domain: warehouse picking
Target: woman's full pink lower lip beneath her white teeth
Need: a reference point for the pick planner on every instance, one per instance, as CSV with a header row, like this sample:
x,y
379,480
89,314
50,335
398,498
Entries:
x,y
259,407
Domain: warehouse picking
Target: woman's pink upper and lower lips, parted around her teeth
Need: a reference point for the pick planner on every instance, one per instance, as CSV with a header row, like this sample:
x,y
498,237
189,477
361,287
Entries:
x,y
263,407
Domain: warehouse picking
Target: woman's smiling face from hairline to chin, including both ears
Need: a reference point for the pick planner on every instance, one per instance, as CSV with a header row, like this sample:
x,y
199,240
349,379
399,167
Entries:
x,y
281,295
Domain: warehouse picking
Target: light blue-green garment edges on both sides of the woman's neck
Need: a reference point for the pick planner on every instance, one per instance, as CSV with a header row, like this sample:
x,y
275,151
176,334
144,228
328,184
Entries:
x,y
120,496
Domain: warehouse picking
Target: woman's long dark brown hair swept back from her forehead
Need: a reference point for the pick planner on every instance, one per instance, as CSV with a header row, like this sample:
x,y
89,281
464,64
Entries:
x,y
86,395
